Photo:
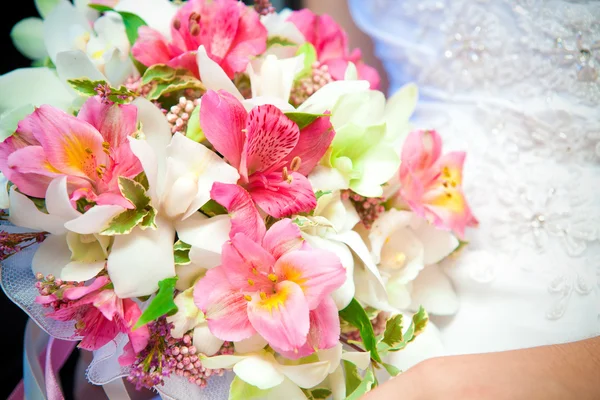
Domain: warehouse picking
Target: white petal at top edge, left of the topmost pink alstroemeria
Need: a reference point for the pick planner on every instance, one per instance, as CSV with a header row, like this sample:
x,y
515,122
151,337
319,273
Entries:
x,y
158,14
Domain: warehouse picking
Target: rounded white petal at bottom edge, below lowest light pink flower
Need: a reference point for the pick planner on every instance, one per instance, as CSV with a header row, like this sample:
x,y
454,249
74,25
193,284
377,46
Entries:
x,y
259,371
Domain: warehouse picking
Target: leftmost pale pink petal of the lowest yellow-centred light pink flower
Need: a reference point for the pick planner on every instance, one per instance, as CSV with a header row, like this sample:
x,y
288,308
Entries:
x,y
225,307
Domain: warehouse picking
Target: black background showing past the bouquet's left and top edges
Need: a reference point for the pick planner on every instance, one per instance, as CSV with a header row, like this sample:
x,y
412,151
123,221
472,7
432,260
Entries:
x,y
13,319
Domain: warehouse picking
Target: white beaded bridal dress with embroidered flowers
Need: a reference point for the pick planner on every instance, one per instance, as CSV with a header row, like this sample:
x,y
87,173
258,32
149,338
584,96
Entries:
x,y
515,84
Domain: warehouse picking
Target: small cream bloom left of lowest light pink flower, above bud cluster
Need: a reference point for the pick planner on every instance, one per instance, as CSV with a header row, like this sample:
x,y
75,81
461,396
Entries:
x,y
189,317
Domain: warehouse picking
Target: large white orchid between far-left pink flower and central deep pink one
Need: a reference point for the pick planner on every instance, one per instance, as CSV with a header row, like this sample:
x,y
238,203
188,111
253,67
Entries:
x,y
181,173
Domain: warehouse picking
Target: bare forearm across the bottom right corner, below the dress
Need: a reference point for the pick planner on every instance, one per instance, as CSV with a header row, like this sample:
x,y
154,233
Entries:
x,y
565,371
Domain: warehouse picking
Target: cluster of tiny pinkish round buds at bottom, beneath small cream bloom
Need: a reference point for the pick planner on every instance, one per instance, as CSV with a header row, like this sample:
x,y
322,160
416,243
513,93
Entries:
x,y
188,362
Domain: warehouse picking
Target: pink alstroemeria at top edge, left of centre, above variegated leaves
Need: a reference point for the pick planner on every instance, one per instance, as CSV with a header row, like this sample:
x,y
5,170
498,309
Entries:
x,y
231,33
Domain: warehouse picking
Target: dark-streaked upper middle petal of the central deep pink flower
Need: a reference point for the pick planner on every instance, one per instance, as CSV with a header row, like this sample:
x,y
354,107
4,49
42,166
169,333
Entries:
x,y
271,136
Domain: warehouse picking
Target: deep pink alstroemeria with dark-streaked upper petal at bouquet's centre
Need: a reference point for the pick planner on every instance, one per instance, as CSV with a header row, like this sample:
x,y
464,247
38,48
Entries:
x,y
271,154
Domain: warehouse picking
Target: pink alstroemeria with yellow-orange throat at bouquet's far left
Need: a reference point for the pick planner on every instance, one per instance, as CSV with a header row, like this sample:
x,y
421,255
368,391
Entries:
x,y
91,149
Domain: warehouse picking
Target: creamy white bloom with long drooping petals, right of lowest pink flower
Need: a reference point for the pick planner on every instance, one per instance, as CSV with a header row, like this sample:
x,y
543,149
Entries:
x,y
338,237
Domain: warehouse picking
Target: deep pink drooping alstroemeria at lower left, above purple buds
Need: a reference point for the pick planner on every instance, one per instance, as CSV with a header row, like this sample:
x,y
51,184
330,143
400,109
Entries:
x,y
100,315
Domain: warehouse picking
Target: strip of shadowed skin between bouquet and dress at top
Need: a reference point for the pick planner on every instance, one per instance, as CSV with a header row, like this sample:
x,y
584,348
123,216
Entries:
x,y
338,10
